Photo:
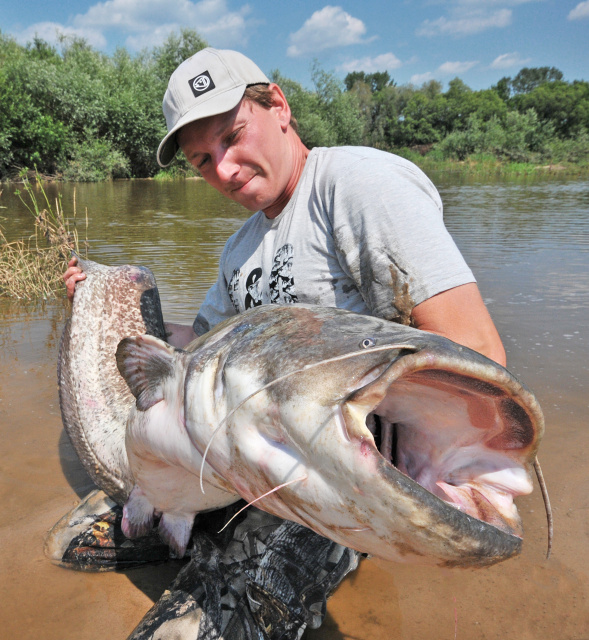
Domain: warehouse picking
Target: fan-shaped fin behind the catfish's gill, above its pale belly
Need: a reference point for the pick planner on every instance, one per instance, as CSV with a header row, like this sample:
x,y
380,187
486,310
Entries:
x,y
145,362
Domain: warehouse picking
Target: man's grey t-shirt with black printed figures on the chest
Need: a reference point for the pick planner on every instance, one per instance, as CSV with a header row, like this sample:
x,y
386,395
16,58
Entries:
x,y
363,231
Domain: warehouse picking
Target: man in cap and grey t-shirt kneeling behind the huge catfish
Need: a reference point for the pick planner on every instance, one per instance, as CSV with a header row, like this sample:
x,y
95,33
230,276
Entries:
x,y
348,227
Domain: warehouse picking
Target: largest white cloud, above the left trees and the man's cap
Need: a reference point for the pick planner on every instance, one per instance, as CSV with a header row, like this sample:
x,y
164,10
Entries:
x,y
149,22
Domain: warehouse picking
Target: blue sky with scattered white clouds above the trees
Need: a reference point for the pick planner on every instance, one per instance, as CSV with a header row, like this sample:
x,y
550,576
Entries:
x,y
479,41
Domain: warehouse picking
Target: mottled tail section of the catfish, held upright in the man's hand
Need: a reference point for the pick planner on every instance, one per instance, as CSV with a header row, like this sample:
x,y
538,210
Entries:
x,y
110,304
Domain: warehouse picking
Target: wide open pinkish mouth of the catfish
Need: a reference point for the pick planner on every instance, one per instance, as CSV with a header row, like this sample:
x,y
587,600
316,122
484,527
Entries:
x,y
465,431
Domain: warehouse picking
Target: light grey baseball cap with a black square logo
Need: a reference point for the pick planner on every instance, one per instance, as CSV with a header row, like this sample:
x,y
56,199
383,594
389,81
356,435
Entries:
x,y
210,82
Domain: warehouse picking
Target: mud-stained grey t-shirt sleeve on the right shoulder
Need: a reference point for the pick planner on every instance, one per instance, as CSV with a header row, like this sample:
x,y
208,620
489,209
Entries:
x,y
390,237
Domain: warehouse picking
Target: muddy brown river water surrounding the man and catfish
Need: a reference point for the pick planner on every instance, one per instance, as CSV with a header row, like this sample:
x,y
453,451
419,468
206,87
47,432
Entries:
x,y
528,244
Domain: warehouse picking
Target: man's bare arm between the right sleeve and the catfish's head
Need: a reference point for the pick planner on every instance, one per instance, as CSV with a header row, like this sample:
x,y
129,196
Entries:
x,y
460,314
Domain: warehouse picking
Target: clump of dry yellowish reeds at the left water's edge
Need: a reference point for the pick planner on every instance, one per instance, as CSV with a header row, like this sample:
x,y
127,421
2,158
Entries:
x,y
32,267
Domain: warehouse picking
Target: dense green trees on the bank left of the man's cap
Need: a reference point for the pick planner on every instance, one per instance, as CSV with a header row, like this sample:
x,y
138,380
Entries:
x,y
75,111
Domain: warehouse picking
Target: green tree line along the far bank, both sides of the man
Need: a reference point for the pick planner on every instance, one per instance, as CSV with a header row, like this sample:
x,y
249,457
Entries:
x,y
74,112
